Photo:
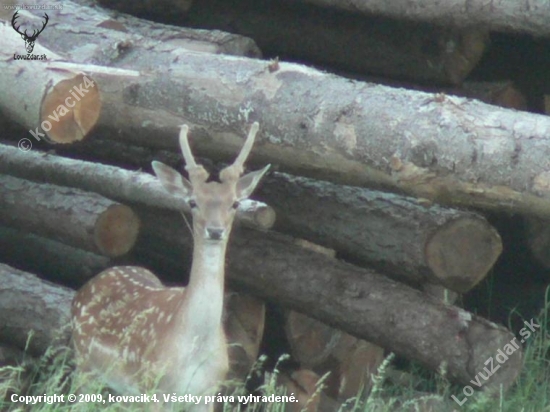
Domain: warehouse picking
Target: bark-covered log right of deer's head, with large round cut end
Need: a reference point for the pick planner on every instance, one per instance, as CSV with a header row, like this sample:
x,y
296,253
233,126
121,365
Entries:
x,y
409,239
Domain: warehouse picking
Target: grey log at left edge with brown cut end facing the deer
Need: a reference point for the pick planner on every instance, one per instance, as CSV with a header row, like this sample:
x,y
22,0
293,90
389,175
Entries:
x,y
71,216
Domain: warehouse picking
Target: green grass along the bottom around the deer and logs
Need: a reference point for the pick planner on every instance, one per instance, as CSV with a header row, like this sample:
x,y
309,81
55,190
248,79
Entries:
x,y
531,392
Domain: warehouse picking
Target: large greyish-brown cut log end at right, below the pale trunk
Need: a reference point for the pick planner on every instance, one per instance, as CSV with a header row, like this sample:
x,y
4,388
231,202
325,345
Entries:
x,y
461,252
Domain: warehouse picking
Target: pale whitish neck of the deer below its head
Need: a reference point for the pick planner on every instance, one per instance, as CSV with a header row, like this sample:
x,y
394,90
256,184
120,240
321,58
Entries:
x,y
203,305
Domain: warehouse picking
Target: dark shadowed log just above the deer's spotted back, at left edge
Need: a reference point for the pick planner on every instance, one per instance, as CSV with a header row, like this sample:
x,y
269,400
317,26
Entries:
x,y
53,260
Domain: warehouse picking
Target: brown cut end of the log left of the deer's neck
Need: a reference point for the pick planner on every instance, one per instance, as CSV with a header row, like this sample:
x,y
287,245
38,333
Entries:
x,y
116,230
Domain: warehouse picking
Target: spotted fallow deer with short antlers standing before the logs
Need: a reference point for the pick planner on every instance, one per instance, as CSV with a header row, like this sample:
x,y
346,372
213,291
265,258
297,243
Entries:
x,y
139,336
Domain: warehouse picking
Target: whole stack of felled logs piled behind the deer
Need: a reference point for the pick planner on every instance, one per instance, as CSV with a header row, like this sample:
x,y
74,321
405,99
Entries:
x,y
349,265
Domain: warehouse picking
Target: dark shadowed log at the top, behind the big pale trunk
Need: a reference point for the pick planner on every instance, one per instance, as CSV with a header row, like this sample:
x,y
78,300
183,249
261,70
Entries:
x,y
346,41
